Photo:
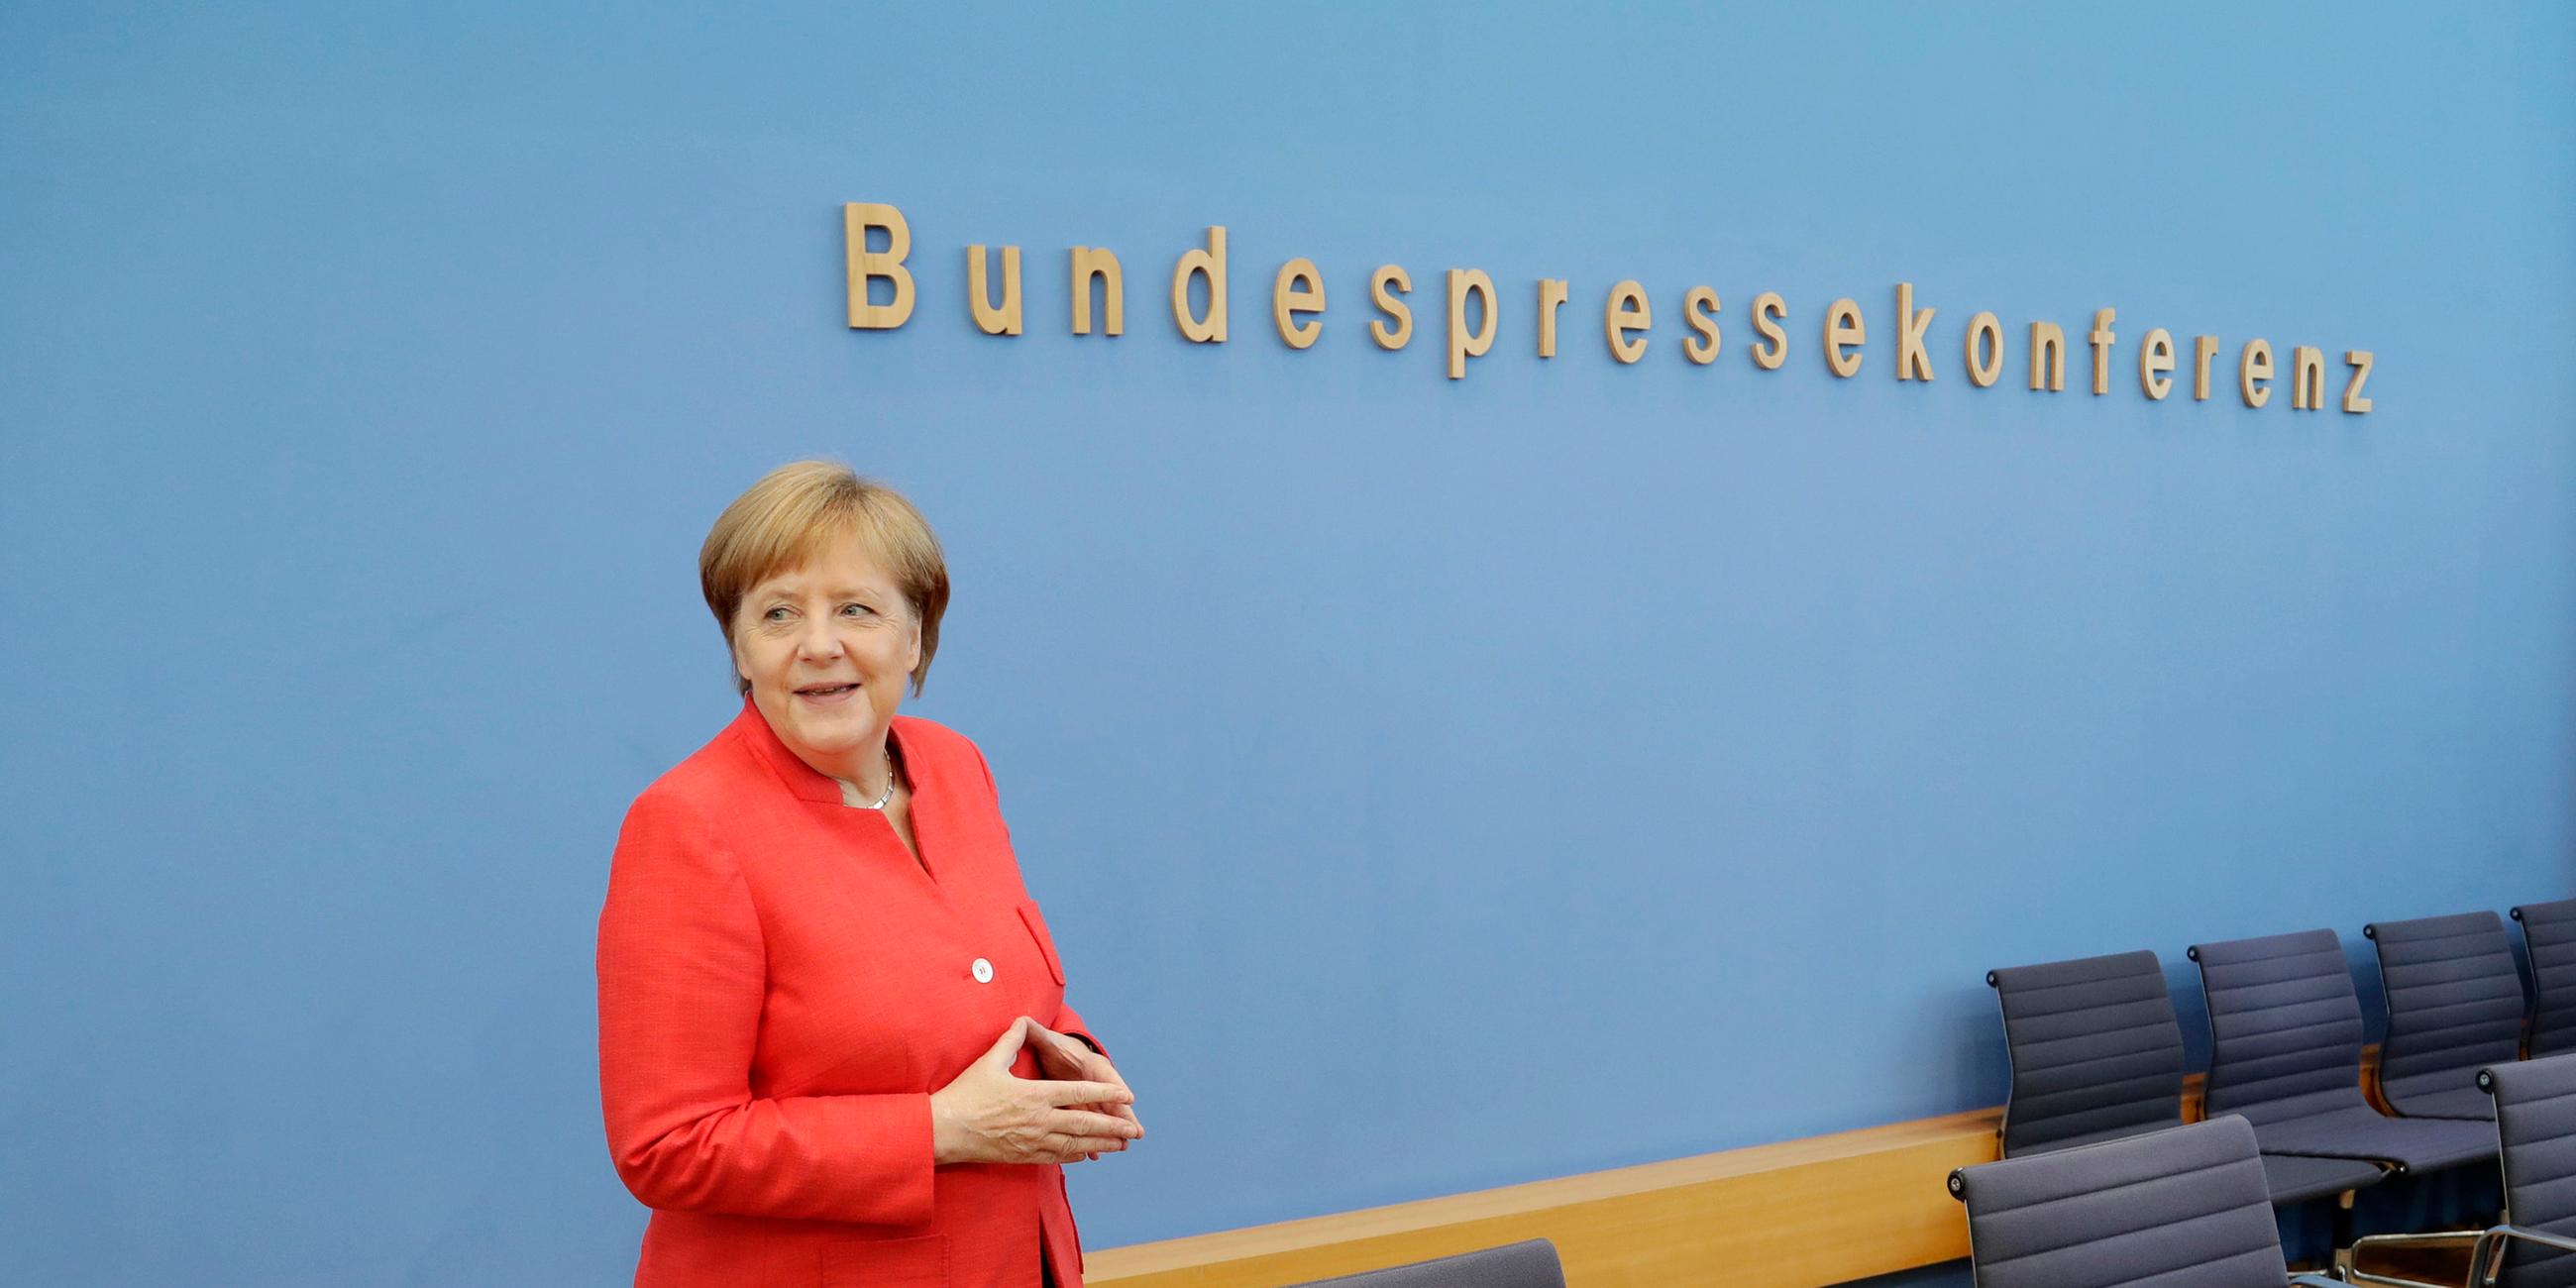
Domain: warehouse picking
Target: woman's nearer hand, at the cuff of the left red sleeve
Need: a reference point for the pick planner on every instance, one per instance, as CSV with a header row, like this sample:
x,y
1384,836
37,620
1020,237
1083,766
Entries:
x,y
988,1114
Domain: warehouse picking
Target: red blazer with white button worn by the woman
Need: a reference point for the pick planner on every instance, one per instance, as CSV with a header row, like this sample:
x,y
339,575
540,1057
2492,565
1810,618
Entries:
x,y
782,988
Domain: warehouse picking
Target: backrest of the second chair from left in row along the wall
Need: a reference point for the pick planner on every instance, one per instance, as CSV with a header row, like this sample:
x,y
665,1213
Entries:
x,y
2286,1027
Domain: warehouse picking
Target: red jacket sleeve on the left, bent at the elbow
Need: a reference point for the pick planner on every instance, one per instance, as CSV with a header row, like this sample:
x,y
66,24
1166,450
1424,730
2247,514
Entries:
x,y
681,993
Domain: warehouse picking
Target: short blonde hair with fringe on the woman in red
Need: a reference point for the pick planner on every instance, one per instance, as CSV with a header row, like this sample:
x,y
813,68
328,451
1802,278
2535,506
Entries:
x,y
784,519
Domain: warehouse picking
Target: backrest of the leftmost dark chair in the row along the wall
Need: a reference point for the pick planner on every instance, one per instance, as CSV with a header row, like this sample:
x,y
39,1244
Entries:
x,y
2096,1052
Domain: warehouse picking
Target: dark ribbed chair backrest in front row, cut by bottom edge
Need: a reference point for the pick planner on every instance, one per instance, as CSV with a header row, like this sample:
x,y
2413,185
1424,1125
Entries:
x,y
2181,1207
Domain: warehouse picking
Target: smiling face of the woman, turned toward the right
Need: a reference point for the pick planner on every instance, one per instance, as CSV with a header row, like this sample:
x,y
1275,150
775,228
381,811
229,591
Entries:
x,y
828,650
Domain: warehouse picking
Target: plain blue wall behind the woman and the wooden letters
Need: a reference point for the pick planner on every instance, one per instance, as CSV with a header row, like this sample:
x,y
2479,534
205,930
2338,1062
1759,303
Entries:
x,y
1431,784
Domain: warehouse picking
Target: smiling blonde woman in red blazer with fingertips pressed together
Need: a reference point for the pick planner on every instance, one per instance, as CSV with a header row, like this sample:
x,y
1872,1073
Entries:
x,y
833,1029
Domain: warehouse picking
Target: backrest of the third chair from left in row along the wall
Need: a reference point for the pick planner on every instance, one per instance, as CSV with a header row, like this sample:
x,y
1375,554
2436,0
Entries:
x,y
2454,1003
